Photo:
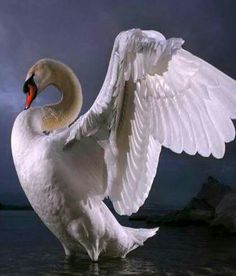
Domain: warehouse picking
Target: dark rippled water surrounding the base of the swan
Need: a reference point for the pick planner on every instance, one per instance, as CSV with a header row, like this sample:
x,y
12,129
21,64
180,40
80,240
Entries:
x,y
28,248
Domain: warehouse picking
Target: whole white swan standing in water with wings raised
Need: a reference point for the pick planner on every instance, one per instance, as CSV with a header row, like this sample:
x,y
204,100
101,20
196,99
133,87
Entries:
x,y
155,94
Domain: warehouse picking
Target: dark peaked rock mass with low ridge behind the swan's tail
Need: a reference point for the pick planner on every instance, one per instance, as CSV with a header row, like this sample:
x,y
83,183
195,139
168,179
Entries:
x,y
214,206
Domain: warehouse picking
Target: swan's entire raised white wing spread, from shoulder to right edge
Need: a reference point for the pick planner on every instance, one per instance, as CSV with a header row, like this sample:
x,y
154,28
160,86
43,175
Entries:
x,y
155,93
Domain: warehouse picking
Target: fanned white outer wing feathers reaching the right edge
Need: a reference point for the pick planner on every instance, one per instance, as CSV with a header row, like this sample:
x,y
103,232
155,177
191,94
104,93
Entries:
x,y
196,103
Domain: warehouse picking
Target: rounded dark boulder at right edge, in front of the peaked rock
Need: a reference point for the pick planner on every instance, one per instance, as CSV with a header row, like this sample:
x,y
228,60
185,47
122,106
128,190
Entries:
x,y
225,215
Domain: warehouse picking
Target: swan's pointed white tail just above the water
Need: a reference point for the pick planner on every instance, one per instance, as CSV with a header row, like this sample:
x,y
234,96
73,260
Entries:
x,y
137,237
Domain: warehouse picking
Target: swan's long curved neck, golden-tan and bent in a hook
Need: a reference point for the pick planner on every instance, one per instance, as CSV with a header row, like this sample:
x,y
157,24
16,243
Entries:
x,y
63,113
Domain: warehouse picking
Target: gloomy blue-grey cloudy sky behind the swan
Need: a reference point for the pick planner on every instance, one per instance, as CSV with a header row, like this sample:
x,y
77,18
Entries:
x,y
81,34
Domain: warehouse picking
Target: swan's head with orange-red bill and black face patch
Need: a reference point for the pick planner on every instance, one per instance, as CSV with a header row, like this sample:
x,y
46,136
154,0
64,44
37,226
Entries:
x,y
38,78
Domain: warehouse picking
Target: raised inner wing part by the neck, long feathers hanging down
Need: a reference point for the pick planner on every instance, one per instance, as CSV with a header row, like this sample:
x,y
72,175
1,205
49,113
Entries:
x,y
121,121
